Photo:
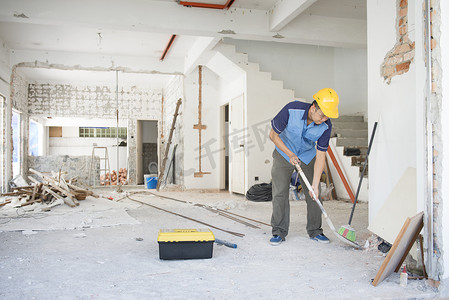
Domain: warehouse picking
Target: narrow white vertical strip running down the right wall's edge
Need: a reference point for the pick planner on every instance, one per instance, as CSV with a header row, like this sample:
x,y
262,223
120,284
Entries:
x,y
429,145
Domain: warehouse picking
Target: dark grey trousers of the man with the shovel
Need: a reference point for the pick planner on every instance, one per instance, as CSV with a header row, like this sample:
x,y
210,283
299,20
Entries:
x,y
281,174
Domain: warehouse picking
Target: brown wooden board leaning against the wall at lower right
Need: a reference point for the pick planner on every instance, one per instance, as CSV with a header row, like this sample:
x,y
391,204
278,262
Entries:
x,y
401,246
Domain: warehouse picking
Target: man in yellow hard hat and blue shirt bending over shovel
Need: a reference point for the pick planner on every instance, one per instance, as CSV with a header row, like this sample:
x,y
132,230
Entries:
x,y
300,132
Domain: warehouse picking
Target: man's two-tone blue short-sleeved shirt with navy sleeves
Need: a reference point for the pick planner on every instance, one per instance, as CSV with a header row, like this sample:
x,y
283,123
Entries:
x,y
302,139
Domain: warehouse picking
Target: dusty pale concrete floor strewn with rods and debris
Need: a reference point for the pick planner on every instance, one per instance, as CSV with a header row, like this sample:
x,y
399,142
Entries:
x,y
106,249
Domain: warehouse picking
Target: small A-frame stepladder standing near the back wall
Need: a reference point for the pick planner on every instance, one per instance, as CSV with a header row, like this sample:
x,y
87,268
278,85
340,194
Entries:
x,y
97,170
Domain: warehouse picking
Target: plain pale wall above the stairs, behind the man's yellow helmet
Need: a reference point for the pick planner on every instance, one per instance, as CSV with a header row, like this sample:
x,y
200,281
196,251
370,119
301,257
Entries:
x,y
307,69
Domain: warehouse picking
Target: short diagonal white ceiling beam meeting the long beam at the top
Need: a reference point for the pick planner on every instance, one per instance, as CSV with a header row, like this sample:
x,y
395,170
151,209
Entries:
x,y
284,11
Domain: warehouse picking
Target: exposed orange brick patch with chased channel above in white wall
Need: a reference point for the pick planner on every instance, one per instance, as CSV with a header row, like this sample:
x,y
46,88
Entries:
x,y
398,60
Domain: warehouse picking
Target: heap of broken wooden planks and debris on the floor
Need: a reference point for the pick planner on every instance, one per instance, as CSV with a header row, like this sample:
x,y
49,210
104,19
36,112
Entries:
x,y
46,190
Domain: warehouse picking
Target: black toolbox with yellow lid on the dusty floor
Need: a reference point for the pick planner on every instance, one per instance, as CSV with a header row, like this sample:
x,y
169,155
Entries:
x,y
185,243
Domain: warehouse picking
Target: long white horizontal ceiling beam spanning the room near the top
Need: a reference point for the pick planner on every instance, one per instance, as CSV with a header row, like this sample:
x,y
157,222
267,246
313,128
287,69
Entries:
x,y
171,18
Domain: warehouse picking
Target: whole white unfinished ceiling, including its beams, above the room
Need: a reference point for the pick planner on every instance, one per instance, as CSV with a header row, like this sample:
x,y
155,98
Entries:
x,y
127,34
